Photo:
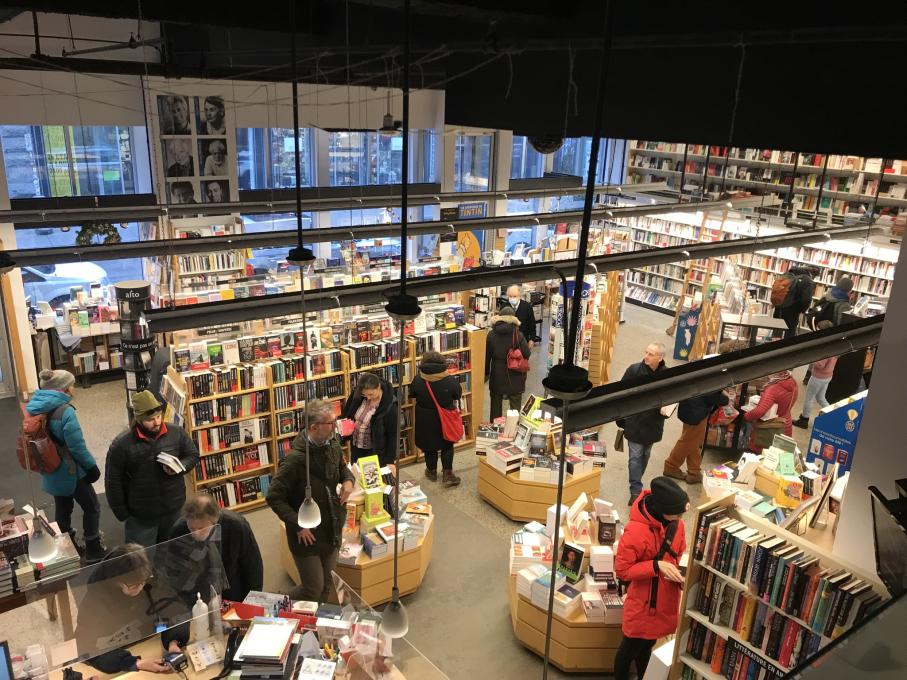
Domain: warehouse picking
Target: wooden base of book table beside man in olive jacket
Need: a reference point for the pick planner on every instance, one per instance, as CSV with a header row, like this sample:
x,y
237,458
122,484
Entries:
x,y
372,579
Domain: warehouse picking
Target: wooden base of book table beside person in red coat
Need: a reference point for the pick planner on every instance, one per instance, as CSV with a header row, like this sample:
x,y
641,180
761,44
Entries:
x,y
576,644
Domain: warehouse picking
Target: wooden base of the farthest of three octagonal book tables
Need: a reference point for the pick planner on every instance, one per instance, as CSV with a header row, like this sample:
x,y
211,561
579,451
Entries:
x,y
523,500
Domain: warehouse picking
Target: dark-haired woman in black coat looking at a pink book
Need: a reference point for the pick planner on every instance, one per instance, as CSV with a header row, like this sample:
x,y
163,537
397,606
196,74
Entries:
x,y
372,406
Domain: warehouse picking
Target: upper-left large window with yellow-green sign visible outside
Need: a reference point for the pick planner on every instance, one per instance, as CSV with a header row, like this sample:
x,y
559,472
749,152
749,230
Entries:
x,y
60,160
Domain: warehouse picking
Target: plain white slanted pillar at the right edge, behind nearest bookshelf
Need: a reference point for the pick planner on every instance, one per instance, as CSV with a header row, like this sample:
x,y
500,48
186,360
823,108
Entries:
x,y
879,457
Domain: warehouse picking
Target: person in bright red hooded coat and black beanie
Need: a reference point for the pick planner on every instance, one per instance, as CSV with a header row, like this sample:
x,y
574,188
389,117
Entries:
x,y
647,558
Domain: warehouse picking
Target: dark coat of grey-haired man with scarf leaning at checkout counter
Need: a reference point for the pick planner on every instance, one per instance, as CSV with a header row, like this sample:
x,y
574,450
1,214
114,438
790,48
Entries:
x,y
236,548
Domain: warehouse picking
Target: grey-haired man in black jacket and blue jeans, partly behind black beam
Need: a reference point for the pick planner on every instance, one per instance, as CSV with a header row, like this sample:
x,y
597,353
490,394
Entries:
x,y
642,430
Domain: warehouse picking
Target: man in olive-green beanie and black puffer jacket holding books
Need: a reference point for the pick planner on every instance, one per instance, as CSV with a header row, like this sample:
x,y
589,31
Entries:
x,y
145,494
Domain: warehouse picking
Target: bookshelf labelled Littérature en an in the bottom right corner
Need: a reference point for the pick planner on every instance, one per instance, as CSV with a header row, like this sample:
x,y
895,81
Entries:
x,y
757,594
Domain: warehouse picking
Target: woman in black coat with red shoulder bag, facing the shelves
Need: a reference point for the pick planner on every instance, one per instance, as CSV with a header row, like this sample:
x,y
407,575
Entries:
x,y
447,391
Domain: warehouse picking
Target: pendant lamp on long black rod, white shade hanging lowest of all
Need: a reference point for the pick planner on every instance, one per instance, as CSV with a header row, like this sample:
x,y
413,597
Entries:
x,y
401,307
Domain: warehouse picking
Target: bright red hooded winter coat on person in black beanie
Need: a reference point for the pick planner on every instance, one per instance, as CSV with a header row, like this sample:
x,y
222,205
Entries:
x,y
634,563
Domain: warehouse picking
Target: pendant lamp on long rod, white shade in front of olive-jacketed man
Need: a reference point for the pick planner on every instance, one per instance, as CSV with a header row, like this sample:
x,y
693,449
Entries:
x,y
309,515
